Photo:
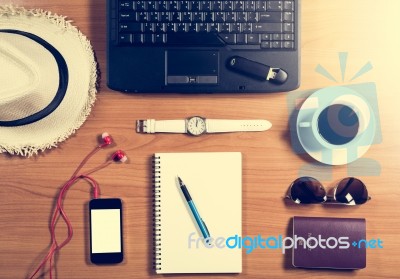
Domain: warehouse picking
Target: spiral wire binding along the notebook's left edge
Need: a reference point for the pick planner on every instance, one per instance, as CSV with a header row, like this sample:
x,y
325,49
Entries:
x,y
156,213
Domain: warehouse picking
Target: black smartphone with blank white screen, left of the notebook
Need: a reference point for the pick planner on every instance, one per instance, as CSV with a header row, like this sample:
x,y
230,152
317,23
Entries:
x,y
106,231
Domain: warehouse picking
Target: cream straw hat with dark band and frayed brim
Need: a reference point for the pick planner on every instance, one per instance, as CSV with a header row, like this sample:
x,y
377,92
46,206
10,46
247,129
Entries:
x,y
48,80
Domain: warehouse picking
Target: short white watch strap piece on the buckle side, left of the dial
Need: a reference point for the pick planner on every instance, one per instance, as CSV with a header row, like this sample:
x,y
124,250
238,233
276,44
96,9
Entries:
x,y
152,126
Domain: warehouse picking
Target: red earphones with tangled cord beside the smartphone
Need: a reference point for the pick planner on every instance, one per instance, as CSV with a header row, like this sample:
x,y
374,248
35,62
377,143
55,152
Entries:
x,y
117,156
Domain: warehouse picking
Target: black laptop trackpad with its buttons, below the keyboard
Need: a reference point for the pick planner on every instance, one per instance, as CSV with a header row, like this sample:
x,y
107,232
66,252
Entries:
x,y
192,67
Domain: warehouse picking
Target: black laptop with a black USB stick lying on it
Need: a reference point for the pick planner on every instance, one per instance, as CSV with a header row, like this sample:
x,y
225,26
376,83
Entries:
x,y
203,46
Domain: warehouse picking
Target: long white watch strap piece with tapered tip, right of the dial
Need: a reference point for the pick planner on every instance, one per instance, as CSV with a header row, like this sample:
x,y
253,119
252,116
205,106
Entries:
x,y
225,125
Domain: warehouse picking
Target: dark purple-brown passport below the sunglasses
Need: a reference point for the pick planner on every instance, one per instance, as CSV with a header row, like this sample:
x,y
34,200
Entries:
x,y
337,243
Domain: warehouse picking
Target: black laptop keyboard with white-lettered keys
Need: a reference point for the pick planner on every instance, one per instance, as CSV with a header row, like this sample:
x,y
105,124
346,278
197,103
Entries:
x,y
241,24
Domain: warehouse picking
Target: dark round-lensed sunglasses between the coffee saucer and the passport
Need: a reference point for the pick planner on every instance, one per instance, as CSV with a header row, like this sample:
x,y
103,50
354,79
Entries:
x,y
307,190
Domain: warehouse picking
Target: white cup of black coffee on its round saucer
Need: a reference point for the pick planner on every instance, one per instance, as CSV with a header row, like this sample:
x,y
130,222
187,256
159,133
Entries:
x,y
335,125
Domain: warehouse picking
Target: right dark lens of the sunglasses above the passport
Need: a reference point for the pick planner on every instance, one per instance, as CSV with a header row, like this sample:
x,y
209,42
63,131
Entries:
x,y
352,191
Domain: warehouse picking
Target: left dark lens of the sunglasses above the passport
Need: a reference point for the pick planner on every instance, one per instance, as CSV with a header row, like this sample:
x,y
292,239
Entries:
x,y
307,190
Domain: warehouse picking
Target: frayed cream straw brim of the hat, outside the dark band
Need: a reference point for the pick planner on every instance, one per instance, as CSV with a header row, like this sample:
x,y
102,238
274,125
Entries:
x,y
72,112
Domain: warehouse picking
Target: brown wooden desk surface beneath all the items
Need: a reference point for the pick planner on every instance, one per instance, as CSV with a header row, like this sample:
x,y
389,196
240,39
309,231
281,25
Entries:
x,y
367,30
